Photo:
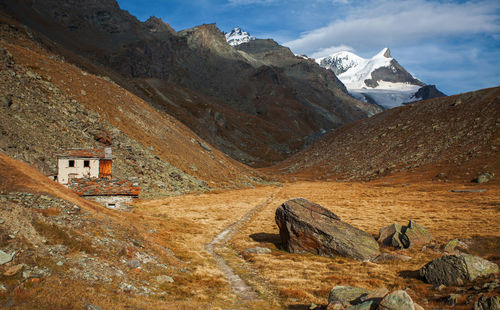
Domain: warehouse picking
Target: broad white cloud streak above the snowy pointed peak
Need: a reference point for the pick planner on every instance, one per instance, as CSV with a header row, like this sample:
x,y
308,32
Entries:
x,y
392,22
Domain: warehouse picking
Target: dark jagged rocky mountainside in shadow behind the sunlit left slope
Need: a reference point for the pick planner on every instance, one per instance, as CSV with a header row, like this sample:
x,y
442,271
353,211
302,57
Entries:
x,y
256,96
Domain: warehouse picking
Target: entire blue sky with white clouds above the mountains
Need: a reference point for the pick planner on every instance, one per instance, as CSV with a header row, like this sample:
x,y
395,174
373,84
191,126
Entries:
x,y
453,44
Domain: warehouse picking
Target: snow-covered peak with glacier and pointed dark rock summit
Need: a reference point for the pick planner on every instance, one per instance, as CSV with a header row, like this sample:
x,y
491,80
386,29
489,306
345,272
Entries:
x,y
380,79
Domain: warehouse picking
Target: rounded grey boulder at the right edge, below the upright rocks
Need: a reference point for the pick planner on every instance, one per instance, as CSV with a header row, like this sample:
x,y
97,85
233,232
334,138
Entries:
x,y
457,269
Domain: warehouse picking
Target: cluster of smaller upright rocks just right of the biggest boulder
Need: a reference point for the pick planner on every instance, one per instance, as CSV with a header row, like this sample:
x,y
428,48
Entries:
x,y
404,237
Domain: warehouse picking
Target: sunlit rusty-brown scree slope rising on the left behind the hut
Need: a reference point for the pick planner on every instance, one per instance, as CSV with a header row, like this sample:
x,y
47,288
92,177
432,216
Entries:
x,y
48,105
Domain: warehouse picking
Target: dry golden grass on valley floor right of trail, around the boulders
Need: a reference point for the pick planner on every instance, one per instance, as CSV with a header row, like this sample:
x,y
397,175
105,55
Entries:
x,y
302,279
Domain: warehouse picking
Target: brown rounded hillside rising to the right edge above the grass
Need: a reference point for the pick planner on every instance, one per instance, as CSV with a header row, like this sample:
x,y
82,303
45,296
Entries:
x,y
457,136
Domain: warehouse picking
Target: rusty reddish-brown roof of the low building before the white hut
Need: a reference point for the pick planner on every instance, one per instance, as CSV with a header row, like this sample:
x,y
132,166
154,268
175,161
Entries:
x,y
105,187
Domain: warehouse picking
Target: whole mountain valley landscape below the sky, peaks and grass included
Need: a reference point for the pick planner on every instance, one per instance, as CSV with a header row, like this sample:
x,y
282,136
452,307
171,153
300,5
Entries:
x,y
146,167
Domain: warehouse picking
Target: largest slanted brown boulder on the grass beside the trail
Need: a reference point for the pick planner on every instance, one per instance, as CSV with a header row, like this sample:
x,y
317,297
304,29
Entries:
x,y
306,227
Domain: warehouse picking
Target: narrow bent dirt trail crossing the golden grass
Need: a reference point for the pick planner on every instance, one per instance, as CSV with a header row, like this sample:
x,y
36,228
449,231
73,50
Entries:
x,y
238,285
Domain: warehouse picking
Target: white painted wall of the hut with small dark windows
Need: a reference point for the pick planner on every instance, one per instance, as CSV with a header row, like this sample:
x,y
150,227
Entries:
x,y
78,171
